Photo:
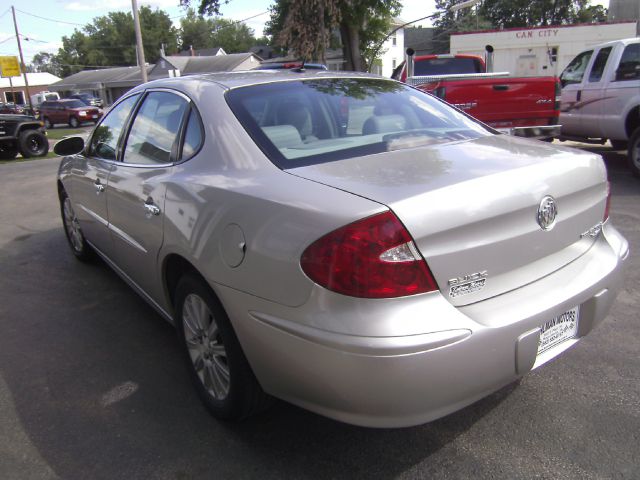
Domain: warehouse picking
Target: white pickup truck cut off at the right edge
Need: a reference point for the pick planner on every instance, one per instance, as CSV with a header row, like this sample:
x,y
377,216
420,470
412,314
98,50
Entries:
x,y
601,97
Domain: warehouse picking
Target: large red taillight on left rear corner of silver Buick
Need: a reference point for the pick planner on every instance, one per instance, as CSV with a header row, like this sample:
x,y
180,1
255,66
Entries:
x,y
371,258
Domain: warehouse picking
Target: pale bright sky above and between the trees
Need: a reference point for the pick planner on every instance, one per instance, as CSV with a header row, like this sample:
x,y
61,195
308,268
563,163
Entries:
x,y
43,23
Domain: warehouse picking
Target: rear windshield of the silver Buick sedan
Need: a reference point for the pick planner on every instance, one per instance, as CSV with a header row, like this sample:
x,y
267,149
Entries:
x,y
314,121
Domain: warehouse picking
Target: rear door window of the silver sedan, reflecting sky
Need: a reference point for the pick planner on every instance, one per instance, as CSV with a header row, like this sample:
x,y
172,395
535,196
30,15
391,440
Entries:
x,y
155,129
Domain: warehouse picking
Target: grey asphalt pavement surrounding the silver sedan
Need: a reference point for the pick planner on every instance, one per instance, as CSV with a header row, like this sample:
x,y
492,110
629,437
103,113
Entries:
x,y
92,385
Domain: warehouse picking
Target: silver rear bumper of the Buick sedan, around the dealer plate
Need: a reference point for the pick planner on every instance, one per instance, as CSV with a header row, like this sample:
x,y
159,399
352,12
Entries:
x,y
457,357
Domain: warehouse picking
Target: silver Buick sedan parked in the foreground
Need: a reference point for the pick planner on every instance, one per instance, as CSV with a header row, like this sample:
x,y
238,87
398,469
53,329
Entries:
x,y
342,242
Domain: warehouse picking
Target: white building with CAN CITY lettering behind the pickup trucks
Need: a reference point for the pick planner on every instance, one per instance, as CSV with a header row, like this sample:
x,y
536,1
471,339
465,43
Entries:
x,y
539,50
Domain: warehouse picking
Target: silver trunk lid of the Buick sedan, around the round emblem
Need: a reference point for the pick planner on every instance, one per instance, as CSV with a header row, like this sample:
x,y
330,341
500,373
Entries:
x,y
471,207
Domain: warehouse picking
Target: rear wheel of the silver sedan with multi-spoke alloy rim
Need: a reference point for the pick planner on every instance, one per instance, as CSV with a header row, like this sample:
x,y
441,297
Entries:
x,y
218,368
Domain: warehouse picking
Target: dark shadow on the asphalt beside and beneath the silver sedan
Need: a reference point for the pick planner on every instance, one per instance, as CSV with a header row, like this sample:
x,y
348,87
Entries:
x,y
99,390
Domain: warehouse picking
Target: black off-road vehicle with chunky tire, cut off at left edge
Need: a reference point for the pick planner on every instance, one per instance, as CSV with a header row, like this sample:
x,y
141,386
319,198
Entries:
x,y
22,134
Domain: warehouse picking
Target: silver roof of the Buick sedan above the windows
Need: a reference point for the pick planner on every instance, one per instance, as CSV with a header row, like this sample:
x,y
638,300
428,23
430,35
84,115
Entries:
x,y
230,80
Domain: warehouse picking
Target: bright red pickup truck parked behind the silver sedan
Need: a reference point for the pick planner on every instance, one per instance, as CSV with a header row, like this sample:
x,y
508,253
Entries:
x,y
526,106
